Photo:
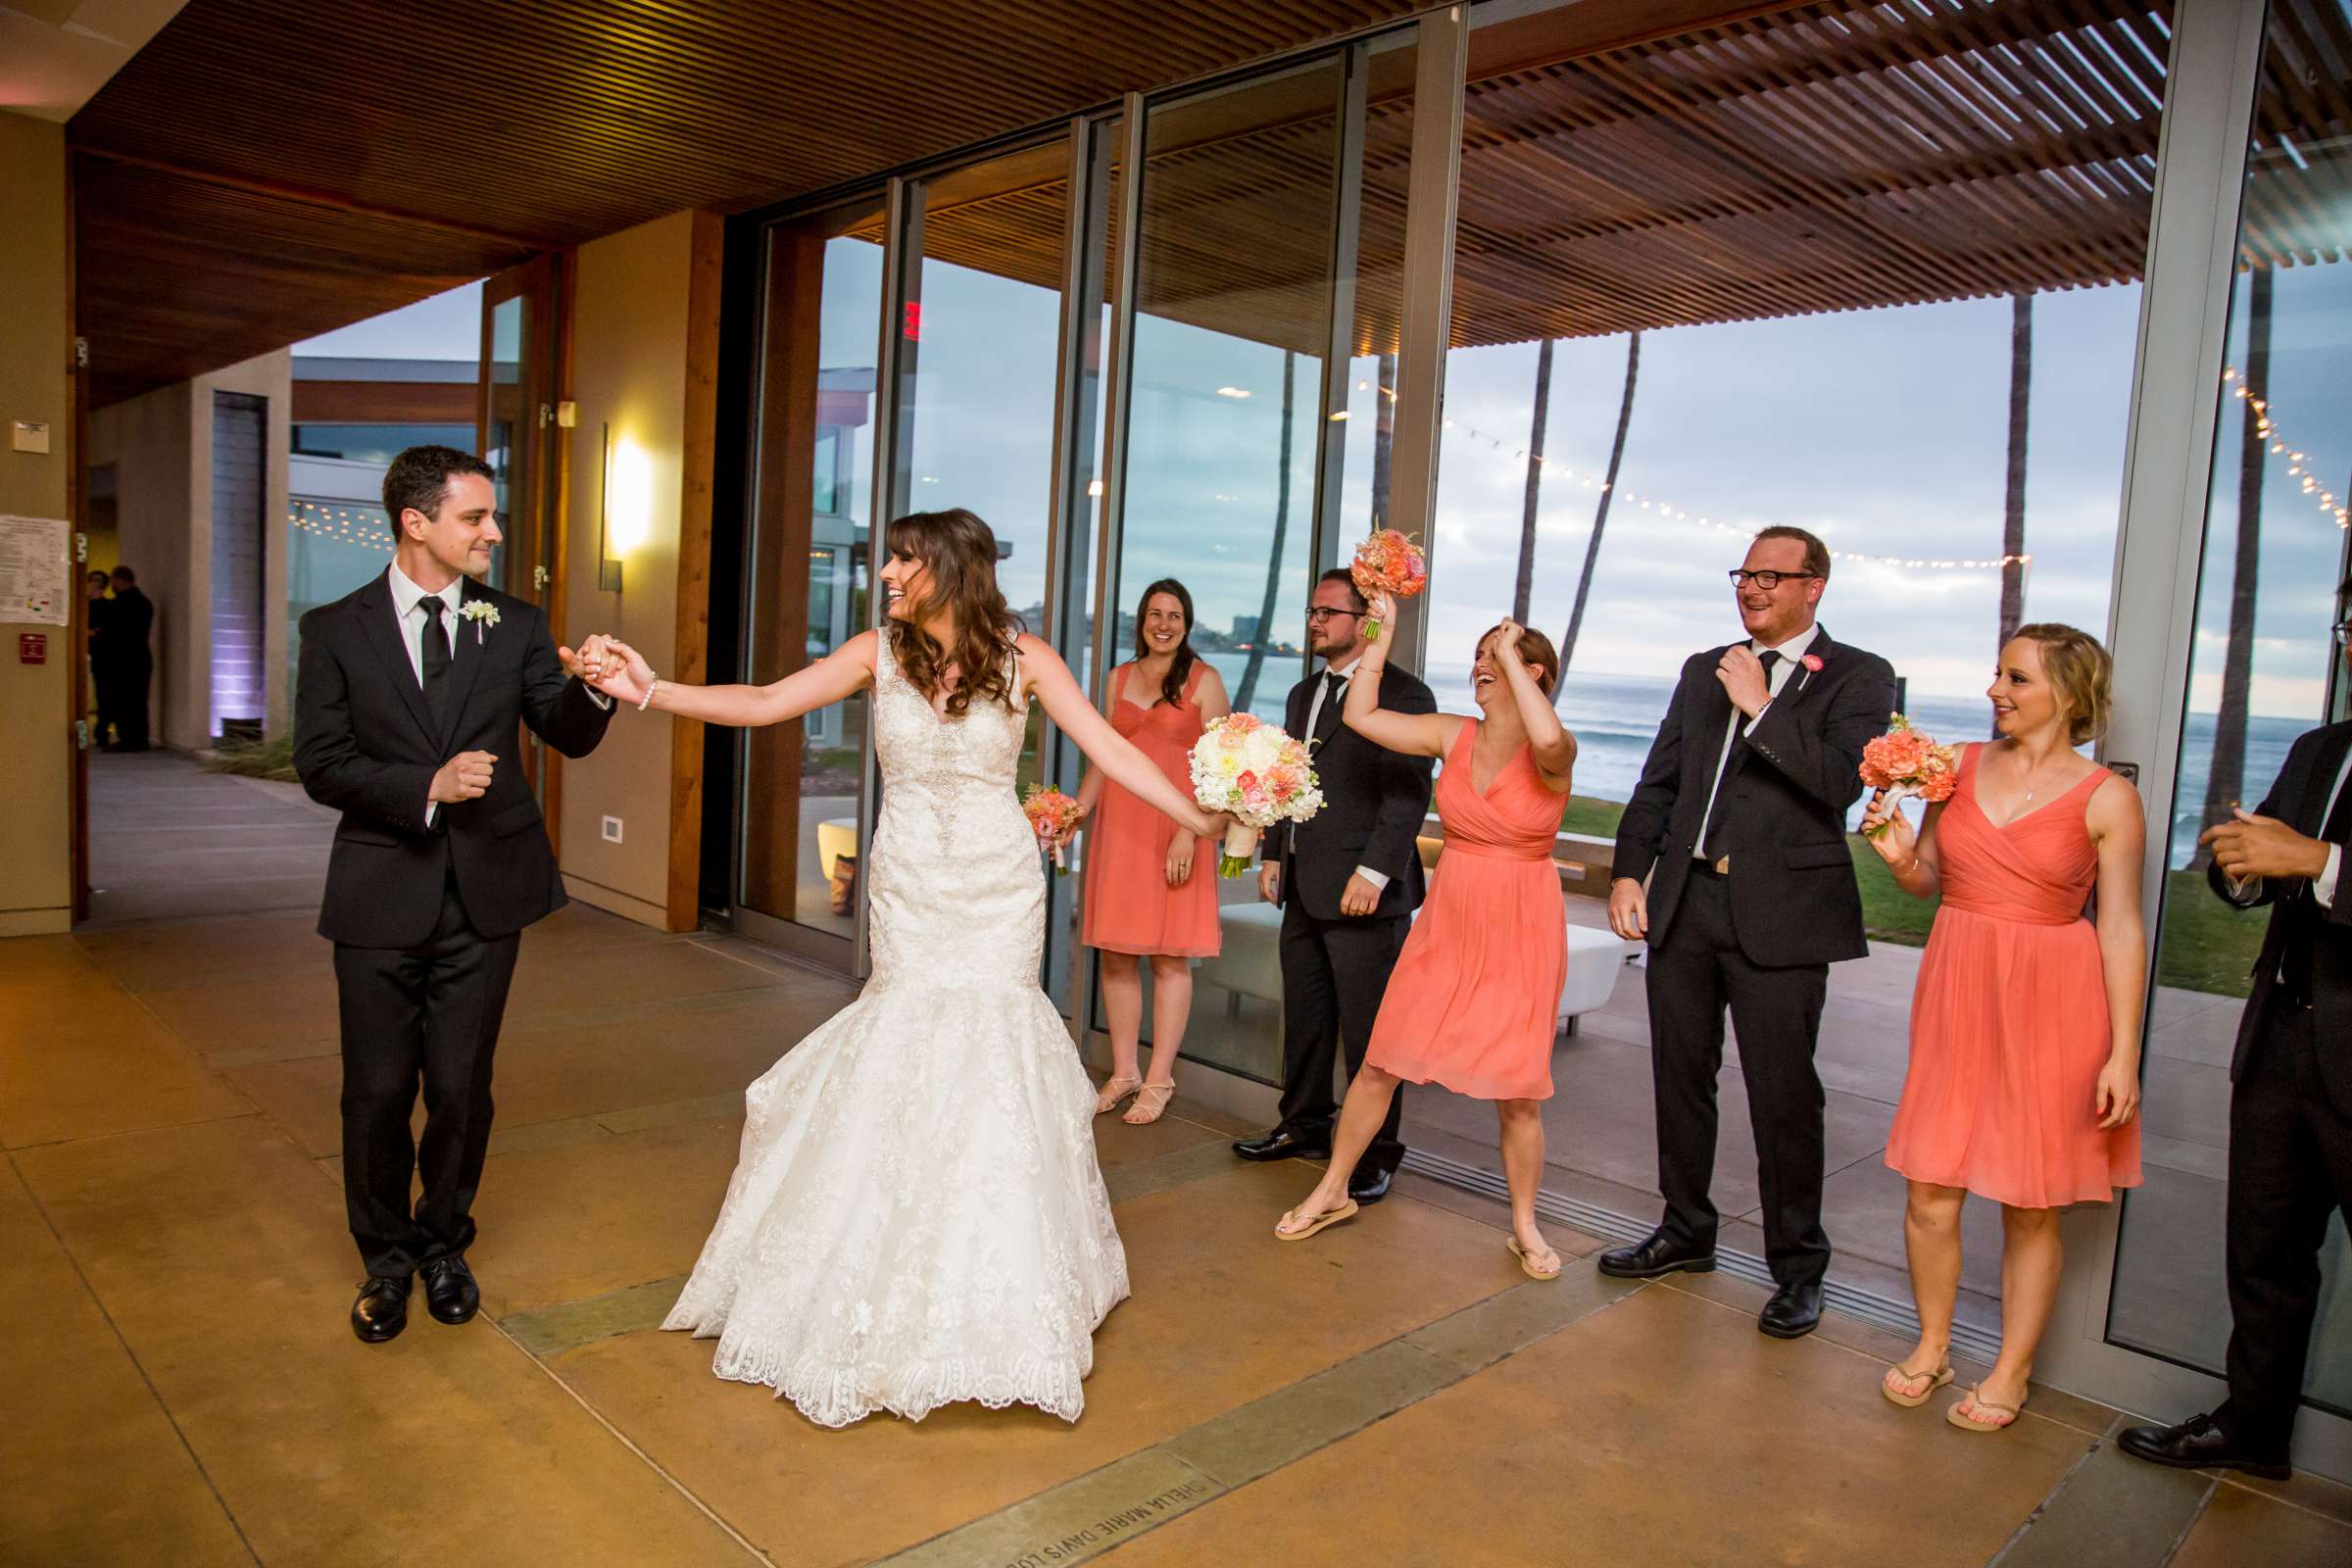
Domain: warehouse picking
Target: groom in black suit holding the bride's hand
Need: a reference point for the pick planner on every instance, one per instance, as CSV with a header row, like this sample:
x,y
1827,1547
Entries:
x,y
406,721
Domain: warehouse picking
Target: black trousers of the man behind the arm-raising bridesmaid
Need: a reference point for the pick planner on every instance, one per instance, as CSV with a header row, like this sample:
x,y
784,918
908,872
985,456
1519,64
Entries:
x,y
1335,974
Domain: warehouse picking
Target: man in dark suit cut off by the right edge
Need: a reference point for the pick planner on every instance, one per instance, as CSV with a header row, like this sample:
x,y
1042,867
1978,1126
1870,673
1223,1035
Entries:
x,y
2290,1104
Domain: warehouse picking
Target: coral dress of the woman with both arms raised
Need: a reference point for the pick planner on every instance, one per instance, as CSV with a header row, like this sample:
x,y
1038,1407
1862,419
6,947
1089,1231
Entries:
x,y
1476,996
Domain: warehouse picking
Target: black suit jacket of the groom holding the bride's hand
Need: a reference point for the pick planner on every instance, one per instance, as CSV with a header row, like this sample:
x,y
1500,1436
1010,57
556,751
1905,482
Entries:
x,y
366,746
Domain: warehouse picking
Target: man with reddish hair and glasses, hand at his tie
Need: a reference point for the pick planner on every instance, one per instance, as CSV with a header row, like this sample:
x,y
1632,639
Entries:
x,y
1739,829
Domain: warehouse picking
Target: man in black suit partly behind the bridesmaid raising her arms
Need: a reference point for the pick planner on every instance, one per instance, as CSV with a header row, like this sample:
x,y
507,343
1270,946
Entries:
x,y
1349,883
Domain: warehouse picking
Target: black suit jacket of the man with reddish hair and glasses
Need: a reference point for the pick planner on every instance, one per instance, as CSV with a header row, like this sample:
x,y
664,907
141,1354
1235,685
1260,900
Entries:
x,y
1784,803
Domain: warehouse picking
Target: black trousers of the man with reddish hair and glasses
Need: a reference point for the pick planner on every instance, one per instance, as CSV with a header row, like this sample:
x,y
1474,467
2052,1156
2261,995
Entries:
x,y
1697,972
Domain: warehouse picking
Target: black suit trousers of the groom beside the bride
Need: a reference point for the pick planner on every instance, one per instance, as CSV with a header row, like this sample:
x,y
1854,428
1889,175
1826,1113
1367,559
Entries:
x,y
420,1017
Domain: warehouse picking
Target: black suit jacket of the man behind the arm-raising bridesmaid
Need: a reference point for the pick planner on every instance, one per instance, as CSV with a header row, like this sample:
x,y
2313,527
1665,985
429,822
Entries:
x,y
1375,803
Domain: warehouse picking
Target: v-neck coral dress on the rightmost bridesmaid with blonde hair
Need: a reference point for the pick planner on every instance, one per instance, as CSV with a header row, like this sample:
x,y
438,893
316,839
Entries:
x,y
2010,1021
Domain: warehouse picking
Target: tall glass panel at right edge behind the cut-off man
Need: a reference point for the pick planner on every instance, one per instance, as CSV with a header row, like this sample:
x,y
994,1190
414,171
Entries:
x,y
2264,671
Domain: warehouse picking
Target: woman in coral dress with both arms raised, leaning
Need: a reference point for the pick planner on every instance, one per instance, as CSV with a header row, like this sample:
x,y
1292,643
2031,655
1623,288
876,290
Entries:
x,y
1476,993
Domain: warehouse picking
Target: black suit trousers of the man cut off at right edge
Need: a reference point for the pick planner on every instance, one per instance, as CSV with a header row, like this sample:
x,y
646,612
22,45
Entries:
x,y
2290,1170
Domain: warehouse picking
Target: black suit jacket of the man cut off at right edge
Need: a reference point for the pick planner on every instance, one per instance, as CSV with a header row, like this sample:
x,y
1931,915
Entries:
x,y
2301,800
